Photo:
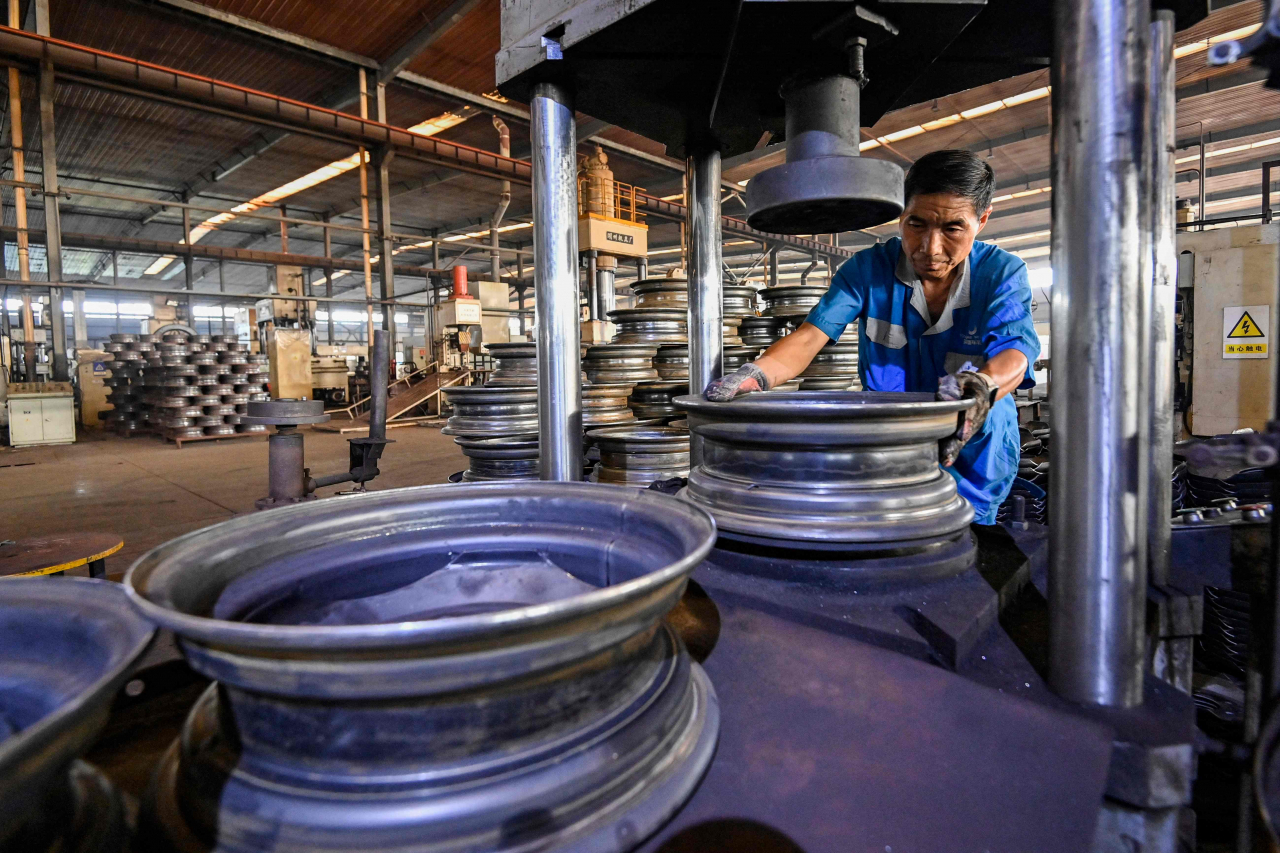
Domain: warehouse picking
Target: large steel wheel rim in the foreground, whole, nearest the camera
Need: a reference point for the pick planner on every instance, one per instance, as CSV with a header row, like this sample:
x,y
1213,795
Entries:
x,y
426,669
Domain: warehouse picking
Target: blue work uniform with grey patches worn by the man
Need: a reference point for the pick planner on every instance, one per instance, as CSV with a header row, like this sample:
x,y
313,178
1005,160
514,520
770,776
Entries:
x,y
899,349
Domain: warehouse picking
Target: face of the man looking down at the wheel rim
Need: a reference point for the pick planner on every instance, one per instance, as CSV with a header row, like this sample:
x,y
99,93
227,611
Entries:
x,y
939,231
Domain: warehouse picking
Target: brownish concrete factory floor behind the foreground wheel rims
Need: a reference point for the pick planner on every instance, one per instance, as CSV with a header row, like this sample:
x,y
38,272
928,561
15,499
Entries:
x,y
149,492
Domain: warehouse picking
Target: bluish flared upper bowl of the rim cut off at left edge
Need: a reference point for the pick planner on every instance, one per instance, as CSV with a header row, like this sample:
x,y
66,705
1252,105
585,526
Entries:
x,y
66,649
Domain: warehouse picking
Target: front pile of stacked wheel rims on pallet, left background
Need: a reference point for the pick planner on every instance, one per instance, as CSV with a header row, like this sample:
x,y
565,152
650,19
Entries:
x,y
204,387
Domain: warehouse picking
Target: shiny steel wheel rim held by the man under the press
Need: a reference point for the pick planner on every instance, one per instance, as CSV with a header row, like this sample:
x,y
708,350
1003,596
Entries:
x,y
834,467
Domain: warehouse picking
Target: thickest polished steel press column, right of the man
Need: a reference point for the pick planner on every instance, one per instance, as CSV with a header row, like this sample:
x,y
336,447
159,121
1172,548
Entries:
x,y
1098,573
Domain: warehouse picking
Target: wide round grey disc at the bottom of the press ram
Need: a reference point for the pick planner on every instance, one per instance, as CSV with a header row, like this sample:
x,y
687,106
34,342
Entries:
x,y
825,195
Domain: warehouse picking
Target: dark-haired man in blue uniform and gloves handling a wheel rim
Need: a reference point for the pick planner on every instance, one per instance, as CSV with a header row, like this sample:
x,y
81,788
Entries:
x,y
936,313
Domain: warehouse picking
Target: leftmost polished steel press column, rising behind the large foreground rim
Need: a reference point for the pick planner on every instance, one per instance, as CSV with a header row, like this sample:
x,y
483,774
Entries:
x,y
560,393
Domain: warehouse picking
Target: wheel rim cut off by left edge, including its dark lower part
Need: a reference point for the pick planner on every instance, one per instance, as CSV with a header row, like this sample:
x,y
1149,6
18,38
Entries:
x,y
67,647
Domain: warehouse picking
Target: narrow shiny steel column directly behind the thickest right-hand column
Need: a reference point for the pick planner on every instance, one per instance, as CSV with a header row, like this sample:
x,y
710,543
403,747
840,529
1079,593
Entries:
x,y
1164,285
